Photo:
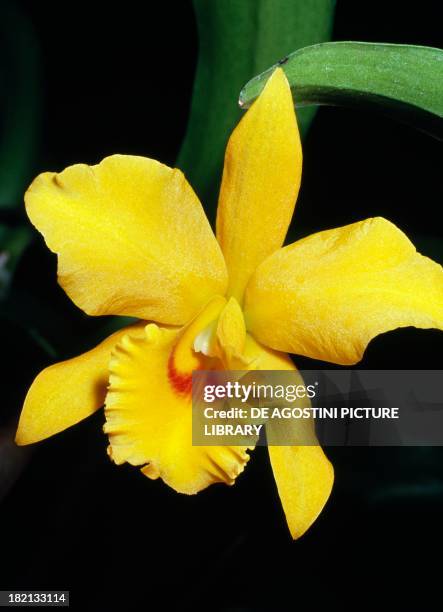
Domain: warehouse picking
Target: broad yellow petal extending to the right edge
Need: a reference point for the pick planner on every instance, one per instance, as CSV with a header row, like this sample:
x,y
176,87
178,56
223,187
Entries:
x,y
328,295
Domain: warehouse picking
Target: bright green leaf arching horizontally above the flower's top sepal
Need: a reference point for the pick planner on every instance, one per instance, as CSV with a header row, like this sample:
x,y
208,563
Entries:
x,y
403,80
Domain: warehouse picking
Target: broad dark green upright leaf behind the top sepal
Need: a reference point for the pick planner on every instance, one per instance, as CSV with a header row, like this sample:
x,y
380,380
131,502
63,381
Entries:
x,y
237,39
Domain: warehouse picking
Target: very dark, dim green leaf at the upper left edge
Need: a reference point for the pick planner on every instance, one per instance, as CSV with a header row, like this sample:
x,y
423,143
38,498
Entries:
x,y
19,104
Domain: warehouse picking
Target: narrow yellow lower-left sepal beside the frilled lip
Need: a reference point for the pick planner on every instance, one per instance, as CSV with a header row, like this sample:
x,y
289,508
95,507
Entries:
x,y
67,392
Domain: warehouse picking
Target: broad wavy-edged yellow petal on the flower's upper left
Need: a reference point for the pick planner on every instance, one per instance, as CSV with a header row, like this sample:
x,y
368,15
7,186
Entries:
x,y
132,239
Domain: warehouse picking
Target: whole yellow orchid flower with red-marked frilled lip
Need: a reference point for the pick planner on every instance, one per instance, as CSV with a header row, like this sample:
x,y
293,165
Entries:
x,y
132,239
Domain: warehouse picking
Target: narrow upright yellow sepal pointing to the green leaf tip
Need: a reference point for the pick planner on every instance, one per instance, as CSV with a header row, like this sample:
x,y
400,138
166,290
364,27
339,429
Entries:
x,y
261,179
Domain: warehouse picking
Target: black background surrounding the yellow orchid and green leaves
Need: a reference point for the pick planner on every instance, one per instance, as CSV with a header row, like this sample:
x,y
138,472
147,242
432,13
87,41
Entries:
x,y
119,79
